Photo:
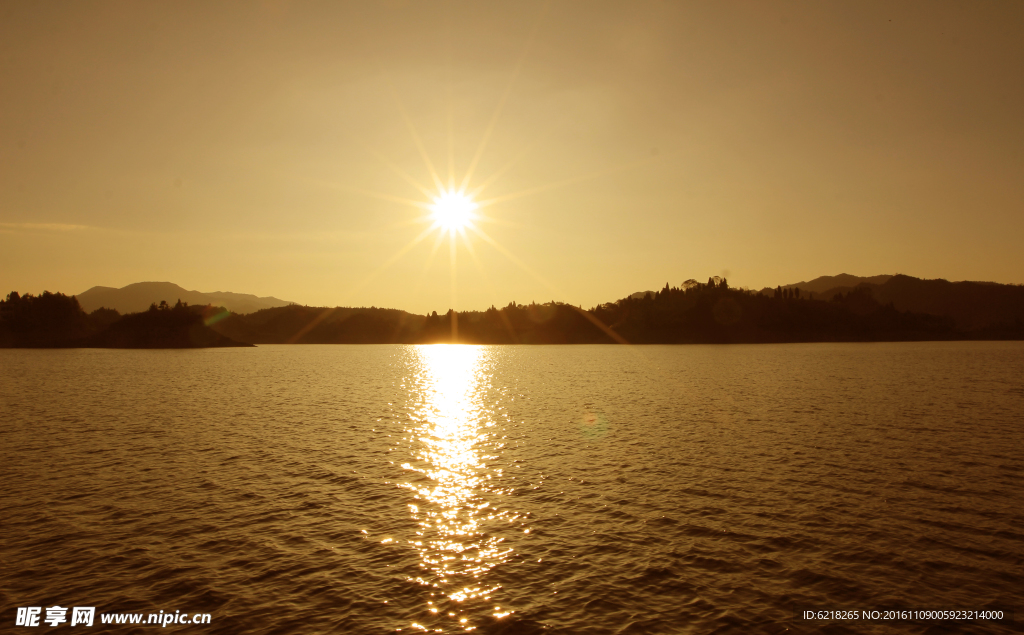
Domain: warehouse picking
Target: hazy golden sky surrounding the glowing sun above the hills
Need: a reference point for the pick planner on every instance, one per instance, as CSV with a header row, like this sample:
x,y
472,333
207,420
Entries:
x,y
264,147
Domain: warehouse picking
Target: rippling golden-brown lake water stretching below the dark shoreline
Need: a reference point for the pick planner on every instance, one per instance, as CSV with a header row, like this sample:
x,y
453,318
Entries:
x,y
515,489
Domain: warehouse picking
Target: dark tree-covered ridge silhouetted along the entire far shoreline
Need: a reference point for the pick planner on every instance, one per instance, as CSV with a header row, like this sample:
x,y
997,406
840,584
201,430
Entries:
x,y
692,313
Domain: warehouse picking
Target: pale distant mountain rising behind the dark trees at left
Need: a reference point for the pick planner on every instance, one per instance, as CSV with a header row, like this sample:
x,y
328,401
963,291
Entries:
x,y
139,298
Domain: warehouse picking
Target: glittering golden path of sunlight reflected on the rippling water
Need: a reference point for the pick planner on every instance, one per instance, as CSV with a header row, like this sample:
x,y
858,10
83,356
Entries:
x,y
456,492
